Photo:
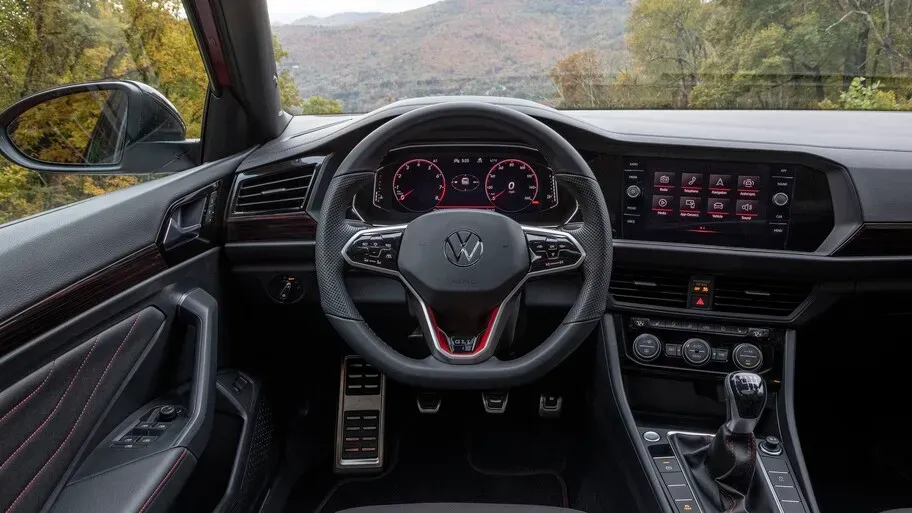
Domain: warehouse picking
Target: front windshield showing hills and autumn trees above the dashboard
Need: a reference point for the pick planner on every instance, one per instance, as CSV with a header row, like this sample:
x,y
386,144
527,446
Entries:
x,y
357,55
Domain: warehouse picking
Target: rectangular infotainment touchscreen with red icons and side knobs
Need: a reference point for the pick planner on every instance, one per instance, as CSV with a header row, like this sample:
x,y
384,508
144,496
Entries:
x,y
707,202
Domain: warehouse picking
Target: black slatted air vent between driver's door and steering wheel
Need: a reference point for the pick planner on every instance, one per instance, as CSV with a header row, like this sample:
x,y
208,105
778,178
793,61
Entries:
x,y
279,188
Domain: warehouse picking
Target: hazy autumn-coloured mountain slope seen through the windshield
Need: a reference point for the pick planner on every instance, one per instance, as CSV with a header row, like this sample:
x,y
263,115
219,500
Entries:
x,y
485,47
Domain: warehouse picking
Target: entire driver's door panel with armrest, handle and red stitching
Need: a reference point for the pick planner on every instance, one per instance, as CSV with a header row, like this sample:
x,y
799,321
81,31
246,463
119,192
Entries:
x,y
100,324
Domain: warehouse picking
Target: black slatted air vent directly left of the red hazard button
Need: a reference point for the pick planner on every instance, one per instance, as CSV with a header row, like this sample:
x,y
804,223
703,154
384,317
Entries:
x,y
646,287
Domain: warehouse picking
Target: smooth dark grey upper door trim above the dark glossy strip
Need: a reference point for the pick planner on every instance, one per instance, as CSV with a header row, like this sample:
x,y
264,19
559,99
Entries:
x,y
43,255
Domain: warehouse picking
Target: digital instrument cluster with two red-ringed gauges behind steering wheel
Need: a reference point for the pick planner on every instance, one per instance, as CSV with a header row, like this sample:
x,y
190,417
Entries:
x,y
508,180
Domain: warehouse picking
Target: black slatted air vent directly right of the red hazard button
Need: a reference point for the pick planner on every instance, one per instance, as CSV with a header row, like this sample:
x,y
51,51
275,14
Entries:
x,y
758,297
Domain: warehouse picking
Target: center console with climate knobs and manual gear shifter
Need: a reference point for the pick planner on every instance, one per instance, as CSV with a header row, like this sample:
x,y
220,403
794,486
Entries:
x,y
707,407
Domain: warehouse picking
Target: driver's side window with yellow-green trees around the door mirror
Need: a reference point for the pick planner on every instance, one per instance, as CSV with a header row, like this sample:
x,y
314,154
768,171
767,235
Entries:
x,y
49,43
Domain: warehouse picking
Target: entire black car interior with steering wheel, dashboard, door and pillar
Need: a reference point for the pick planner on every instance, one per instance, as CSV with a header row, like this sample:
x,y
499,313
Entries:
x,y
458,304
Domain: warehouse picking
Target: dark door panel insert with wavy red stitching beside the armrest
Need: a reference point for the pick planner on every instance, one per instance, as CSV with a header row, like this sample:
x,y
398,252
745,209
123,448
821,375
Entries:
x,y
50,414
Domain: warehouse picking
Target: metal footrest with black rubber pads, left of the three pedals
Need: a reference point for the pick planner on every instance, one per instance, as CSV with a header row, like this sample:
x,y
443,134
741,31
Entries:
x,y
360,424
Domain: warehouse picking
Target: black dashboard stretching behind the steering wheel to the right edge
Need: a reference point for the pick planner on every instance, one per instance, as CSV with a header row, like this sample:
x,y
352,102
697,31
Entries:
x,y
844,226
